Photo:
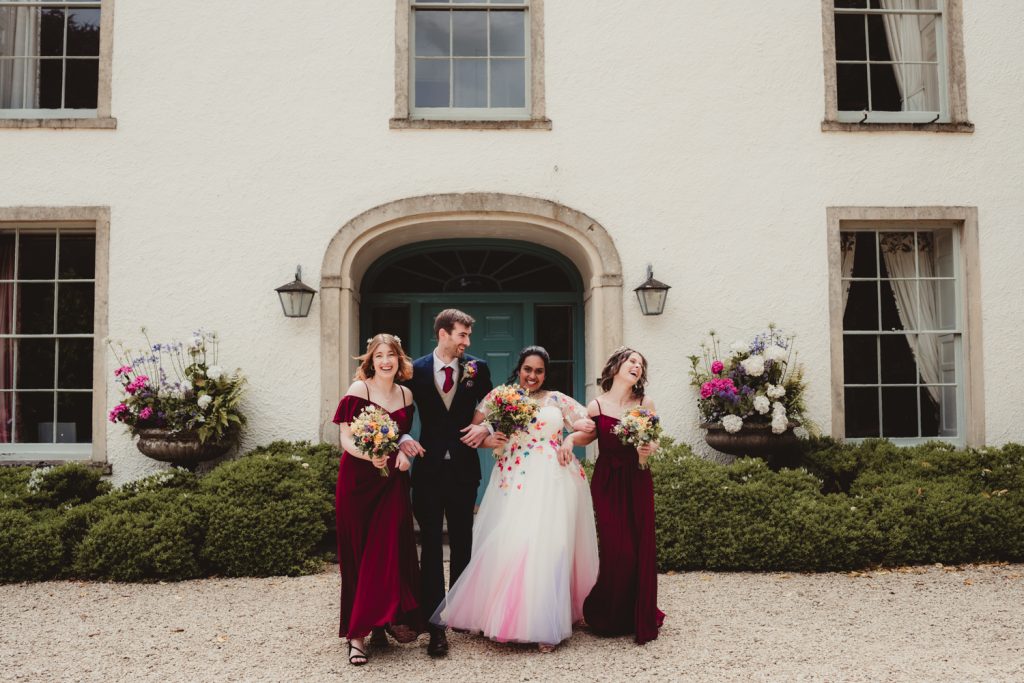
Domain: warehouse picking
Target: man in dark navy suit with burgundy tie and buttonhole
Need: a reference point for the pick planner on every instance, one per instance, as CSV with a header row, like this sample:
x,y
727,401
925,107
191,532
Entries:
x,y
447,387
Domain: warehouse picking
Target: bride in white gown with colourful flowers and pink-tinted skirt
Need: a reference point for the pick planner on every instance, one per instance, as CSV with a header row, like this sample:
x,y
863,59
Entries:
x,y
535,544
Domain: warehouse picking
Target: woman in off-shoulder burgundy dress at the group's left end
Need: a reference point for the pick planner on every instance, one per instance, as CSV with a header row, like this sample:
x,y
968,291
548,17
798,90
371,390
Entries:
x,y
380,576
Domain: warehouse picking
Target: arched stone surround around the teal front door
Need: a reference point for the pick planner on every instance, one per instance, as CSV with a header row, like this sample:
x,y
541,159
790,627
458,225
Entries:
x,y
371,236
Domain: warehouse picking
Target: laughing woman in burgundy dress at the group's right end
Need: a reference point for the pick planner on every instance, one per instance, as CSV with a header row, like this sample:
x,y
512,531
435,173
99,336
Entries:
x,y
625,599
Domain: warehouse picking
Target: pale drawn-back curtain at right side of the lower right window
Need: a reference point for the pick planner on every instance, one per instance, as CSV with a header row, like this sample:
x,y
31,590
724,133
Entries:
x,y
899,252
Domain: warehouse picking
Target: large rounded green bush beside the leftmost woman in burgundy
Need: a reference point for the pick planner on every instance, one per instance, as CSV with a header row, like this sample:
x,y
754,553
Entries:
x,y
267,517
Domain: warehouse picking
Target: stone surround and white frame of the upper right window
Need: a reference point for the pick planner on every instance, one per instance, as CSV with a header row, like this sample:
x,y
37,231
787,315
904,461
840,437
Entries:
x,y
952,116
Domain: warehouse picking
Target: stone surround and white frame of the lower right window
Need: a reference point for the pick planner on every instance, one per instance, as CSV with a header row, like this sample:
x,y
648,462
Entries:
x,y
964,223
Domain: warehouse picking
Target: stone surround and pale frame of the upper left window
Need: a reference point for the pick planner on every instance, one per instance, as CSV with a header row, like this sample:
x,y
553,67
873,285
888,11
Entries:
x,y
72,118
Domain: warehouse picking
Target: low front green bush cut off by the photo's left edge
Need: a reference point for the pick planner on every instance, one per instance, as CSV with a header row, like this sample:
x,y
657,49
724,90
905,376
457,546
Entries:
x,y
31,546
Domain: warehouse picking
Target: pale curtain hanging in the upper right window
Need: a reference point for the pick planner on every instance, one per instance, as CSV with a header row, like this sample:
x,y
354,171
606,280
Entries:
x,y
904,33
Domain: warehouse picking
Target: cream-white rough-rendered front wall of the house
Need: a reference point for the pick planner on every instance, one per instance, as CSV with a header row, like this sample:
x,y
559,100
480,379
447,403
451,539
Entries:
x,y
691,131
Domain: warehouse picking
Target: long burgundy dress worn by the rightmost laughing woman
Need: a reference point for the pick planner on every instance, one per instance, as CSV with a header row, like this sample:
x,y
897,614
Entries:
x,y
625,599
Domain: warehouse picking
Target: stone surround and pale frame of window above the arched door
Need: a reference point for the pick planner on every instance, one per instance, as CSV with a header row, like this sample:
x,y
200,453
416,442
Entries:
x,y
532,116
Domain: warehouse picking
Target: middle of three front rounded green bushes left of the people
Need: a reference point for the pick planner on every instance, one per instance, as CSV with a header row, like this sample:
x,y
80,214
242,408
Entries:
x,y
154,535
